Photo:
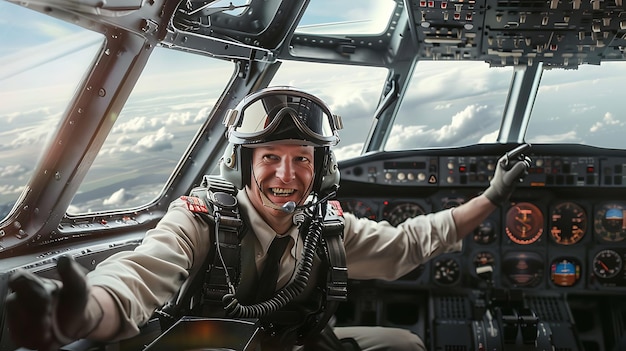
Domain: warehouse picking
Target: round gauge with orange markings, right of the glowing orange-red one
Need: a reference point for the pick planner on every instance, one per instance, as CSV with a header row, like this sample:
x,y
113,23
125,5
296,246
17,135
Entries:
x,y
568,223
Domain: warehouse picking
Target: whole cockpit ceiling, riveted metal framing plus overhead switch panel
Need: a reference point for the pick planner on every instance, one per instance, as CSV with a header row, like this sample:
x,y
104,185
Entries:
x,y
558,33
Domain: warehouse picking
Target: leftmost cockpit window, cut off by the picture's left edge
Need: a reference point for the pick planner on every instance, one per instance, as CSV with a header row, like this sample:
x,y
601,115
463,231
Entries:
x,y
42,62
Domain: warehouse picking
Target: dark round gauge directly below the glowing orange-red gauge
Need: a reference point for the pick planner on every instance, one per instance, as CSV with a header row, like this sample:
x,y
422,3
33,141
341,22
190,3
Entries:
x,y
523,269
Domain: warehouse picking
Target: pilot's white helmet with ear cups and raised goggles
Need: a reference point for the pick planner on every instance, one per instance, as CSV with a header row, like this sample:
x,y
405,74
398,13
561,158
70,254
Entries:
x,y
281,115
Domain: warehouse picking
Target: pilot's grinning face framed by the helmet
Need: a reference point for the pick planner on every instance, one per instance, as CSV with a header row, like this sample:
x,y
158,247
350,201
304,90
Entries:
x,y
282,173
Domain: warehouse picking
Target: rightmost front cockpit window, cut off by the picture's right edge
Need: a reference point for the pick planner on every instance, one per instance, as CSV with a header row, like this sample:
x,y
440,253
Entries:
x,y
585,106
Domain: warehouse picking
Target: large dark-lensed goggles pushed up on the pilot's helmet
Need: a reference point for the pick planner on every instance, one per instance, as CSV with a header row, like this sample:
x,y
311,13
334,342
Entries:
x,y
260,118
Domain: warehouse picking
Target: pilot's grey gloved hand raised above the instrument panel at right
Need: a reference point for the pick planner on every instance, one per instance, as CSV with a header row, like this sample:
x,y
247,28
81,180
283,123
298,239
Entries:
x,y
510,170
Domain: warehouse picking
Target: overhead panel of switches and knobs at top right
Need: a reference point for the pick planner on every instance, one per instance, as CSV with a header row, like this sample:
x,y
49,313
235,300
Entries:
x,y
504,33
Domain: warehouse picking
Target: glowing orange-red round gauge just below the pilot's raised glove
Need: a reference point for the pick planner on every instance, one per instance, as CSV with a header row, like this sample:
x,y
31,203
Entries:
x,y
524,223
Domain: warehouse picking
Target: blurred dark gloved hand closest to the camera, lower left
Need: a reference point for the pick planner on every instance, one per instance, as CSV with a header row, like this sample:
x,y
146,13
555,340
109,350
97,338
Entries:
x,y
45,314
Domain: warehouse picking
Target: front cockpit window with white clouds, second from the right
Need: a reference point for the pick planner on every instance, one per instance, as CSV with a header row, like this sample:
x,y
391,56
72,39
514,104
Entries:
x,y
451,104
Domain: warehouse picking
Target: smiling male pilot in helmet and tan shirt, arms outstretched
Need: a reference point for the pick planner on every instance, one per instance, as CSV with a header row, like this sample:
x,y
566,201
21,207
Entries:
x,y
280,162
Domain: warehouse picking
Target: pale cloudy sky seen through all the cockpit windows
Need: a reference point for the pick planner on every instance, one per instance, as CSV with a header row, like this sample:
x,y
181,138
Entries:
x,y
41,63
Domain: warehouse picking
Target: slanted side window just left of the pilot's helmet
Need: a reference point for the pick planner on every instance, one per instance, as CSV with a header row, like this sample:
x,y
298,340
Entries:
x,y
164,112
